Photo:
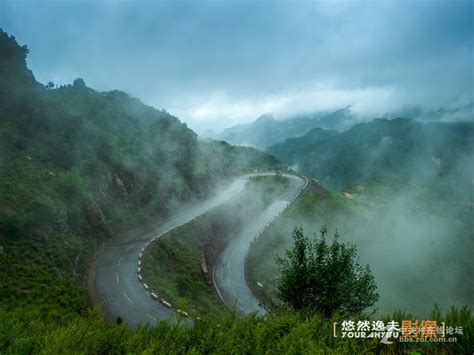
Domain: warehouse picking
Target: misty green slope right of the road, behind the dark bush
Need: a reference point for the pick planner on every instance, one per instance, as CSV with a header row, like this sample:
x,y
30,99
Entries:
x,y
393,224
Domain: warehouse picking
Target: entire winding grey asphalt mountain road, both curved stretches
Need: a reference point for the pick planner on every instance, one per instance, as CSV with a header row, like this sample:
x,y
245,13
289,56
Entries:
x,y
114,276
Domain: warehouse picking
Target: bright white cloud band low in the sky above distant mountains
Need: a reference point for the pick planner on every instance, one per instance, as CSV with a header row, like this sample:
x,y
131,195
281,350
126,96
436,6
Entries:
x,y
220,109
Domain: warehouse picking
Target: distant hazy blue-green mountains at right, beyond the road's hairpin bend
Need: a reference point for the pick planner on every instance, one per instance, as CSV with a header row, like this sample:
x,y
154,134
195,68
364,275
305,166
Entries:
x,y
420,152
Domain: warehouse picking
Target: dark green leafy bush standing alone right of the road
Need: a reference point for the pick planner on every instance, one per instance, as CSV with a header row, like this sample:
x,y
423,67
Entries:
x,y
324,277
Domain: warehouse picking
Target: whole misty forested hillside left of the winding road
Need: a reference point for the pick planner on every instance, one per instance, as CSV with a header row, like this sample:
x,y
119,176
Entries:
x,y
79,168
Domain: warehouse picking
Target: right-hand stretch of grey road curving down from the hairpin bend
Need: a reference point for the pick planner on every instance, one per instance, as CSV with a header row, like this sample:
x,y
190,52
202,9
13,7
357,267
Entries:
x,y
229,274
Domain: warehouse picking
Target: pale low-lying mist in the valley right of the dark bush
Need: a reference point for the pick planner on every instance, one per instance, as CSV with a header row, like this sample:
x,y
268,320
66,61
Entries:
x,y
419,256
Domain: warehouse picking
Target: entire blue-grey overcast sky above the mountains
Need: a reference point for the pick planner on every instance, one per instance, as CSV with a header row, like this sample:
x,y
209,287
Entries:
x,y
217,63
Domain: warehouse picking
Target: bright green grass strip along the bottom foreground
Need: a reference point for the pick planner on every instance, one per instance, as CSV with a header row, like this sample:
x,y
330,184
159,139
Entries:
x,y
276,334
